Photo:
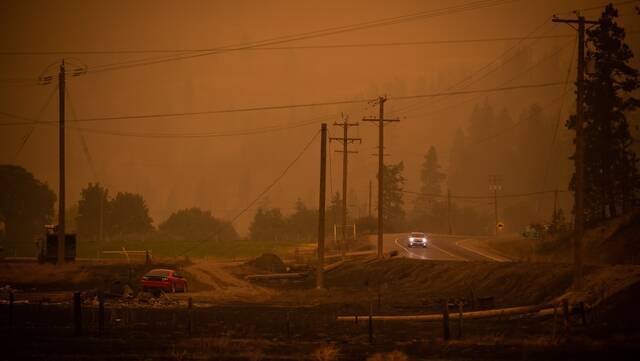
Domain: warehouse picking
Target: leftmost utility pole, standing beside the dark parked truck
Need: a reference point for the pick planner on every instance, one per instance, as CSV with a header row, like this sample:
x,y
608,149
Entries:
x,y
61,156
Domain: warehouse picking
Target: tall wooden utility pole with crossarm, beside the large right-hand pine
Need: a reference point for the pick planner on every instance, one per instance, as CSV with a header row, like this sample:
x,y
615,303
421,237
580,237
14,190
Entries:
x,y
579,154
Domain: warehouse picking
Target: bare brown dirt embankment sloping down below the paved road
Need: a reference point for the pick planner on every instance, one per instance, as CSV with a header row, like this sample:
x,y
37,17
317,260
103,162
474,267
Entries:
x,y
405,282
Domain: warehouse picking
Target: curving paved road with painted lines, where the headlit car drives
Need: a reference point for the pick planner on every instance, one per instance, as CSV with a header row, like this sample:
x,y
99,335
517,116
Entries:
x,y
442,247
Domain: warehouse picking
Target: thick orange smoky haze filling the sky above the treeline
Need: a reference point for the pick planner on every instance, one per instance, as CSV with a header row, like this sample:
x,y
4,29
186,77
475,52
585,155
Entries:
x,y
223,174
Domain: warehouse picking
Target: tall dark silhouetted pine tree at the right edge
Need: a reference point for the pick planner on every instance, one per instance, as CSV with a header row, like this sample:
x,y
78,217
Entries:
x,y
611,175
